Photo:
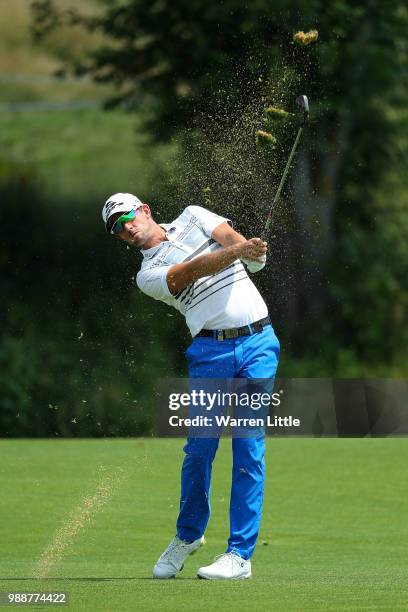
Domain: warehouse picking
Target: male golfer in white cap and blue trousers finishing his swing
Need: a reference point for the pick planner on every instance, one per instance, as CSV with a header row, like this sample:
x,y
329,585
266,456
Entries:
x,y
196,264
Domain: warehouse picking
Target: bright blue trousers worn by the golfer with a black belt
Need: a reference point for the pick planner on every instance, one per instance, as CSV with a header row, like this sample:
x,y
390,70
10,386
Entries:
x,y
254,356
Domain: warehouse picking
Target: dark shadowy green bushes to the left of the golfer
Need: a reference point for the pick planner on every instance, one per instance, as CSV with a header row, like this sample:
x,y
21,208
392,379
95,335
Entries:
x,y
80,352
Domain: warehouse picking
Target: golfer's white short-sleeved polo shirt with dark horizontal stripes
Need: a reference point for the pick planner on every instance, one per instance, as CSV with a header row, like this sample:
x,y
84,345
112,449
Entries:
x,y
223,300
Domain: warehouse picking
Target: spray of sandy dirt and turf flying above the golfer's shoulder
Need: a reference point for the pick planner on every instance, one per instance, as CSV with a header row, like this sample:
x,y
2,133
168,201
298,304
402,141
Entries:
x,y
231,152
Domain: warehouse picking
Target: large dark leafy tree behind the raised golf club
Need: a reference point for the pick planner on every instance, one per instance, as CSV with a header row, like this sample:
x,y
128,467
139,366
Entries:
x,y
193,64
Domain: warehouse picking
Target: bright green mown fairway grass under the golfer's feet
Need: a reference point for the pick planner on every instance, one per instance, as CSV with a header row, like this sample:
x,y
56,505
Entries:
x,y
334,534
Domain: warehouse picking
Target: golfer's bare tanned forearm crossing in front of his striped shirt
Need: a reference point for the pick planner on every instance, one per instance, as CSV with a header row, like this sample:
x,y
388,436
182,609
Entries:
x,y
181,275
